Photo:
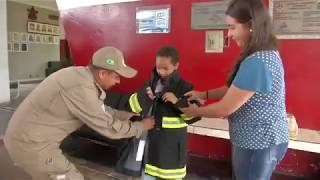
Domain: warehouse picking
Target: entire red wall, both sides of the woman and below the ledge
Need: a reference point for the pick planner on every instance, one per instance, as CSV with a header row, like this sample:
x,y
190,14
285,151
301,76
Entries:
x,y
90,28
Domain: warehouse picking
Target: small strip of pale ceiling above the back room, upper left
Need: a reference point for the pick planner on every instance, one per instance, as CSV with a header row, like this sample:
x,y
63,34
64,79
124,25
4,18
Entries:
x,y
47,4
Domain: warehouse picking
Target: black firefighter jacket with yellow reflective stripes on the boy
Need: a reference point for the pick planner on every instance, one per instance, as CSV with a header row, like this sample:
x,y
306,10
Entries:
x,y
167,142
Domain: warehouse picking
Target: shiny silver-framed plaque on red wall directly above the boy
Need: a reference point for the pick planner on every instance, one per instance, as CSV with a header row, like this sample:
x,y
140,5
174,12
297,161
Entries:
x,y
153,19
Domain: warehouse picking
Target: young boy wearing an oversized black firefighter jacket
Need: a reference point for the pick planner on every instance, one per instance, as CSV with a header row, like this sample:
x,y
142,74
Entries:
x,y
161,96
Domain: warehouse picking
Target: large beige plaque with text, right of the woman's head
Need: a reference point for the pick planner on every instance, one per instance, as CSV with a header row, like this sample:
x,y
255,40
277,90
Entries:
x,y
296,19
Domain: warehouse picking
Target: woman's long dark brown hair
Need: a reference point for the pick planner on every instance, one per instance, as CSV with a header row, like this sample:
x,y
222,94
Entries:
x,y
256,15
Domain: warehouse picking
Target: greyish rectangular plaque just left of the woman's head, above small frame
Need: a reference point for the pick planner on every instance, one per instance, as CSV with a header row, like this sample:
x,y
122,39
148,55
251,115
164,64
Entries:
x,y
209,15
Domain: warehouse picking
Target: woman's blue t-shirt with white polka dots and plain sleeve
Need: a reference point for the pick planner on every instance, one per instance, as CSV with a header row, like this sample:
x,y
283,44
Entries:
x,y
260,122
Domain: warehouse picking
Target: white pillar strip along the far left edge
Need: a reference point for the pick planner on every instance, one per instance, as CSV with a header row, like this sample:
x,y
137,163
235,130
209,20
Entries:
x,y
4,70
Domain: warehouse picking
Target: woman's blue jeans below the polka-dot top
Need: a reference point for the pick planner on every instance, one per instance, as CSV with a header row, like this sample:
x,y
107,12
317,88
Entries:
x,y
256,164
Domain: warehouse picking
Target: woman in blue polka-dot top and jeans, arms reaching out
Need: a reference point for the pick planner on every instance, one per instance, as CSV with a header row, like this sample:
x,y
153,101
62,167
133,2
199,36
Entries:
x,y
254,96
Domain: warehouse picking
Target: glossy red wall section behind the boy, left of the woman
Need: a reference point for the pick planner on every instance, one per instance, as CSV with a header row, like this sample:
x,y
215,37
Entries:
x,y
90,28
